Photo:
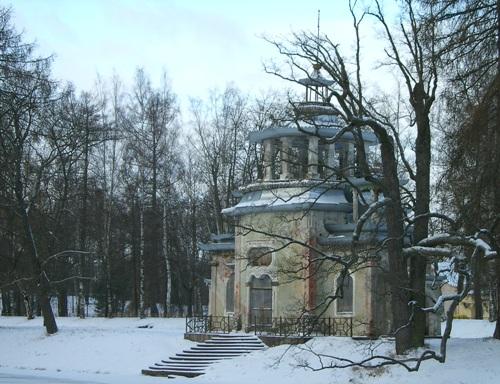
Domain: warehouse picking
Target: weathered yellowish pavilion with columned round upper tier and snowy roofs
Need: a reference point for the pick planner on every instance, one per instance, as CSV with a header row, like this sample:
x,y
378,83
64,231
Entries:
x,y
294,228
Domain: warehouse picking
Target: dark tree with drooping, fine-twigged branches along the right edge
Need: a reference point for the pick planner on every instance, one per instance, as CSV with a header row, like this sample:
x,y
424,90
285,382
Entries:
x,y
469,40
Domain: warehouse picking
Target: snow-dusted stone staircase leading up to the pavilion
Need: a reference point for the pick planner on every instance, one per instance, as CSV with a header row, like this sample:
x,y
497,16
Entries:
x,y
192,362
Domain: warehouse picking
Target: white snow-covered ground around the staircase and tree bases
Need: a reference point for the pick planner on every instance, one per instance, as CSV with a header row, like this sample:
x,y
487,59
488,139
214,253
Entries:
x,y
98,350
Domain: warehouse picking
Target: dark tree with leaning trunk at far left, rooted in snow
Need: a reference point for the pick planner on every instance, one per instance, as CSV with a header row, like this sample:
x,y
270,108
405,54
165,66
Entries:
x,y
26,91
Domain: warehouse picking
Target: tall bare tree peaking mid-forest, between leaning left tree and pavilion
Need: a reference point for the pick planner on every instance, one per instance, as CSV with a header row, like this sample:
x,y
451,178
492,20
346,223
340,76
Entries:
x,y
152,130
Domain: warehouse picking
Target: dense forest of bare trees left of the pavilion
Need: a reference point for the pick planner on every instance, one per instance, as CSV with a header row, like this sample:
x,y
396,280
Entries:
x,y
104,195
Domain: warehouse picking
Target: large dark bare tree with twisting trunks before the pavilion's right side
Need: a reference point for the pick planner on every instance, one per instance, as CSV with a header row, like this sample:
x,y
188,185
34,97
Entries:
x,y
347,100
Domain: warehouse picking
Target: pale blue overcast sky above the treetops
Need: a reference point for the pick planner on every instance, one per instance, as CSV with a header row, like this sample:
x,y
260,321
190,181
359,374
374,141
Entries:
x,y
201,44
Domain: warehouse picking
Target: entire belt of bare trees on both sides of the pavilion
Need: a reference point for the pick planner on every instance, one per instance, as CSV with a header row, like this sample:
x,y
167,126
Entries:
x,y
106,194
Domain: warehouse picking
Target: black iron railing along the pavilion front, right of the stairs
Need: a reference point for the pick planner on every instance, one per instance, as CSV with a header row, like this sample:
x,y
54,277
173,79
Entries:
x,y
304,326
